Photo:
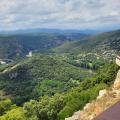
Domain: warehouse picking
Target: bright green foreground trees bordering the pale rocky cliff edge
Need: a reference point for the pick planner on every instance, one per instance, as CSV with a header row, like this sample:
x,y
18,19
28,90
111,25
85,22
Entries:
x,y
63,105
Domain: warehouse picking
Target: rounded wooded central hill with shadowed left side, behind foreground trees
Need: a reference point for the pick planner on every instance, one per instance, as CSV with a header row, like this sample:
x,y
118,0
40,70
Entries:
x,y
40,75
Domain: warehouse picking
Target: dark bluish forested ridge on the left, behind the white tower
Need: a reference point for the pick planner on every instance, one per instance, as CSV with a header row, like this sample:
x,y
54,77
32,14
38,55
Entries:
x,y
19,45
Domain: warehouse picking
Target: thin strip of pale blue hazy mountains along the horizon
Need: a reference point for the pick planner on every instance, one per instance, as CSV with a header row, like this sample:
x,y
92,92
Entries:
x,y
46,30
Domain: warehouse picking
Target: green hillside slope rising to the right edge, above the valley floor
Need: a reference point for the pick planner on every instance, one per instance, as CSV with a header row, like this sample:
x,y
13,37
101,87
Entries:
x,y
104,43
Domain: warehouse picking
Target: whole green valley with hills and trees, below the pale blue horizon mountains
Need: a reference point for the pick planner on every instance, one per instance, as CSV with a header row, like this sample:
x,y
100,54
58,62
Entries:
x,y
51,76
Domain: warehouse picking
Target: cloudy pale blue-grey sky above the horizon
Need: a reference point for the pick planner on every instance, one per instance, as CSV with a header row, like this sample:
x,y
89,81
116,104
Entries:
x,y
63,14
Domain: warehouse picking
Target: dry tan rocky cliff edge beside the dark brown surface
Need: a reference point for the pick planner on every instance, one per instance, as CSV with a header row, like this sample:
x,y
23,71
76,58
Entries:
x,y
105,99
